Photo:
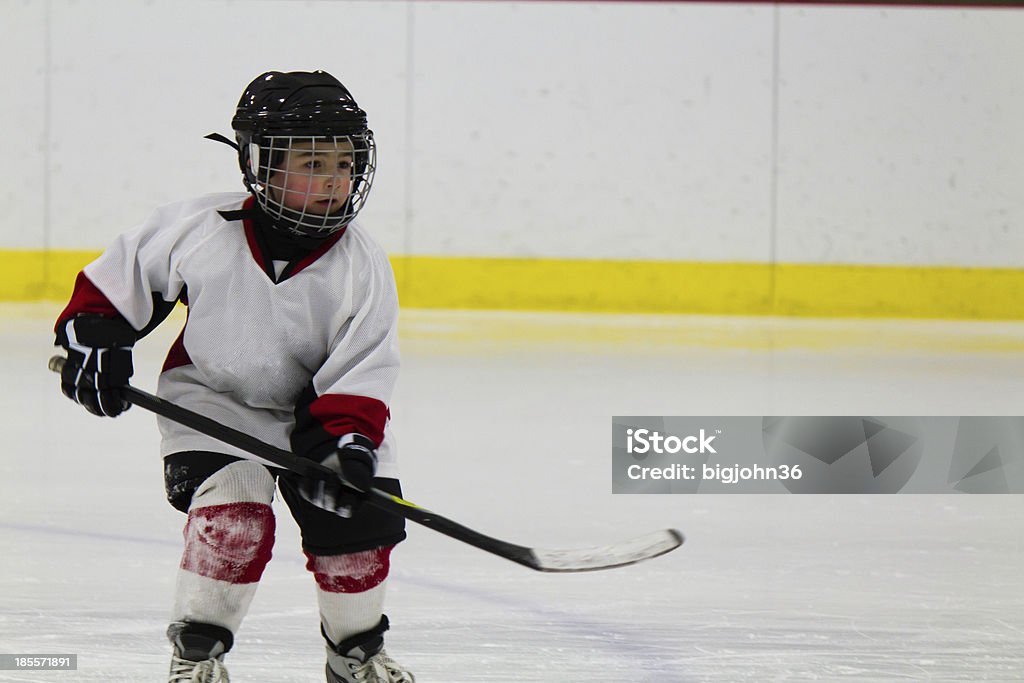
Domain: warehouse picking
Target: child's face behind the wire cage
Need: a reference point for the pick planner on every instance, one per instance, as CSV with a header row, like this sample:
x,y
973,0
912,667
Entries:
x,y
315,177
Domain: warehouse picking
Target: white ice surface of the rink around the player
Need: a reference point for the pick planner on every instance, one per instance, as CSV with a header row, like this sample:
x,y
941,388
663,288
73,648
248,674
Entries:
x,y
503,423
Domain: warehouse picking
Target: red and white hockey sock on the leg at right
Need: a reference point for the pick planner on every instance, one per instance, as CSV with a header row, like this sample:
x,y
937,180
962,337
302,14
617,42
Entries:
x,y
351,590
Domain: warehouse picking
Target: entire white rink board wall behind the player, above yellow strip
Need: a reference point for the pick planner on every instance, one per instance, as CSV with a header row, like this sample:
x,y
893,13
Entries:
x,y
679,132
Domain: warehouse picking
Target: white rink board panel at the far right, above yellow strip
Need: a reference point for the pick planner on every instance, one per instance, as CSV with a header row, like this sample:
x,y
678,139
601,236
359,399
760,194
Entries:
x,y
905,146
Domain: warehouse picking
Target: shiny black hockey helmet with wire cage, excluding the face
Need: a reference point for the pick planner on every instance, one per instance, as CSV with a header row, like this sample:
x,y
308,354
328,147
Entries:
x,y
281,112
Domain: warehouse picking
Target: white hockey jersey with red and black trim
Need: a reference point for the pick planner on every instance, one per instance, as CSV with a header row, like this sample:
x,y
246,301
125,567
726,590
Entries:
x,y
296,363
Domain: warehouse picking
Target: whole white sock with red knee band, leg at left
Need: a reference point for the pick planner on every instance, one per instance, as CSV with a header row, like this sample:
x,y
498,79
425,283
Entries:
x,y
229,538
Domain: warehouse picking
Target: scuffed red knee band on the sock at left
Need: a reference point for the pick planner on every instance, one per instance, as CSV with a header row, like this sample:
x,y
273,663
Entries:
x,y
231,542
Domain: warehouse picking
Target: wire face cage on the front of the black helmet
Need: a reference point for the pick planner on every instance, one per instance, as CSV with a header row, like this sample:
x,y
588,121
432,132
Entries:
x,y
316,186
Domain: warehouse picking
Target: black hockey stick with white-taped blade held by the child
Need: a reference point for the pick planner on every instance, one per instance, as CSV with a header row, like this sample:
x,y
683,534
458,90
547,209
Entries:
x,y
583,560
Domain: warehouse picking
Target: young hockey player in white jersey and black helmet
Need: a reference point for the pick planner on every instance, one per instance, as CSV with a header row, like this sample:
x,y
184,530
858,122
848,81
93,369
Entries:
x,y
290,337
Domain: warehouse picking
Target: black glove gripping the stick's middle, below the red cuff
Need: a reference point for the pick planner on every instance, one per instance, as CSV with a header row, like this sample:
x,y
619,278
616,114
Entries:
x,y
356,462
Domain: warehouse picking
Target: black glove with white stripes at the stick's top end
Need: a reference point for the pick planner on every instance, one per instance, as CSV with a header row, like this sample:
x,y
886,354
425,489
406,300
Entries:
x,y
99,364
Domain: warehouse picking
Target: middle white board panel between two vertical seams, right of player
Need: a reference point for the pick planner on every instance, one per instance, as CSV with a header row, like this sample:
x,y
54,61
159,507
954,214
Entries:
x,y
604,131
